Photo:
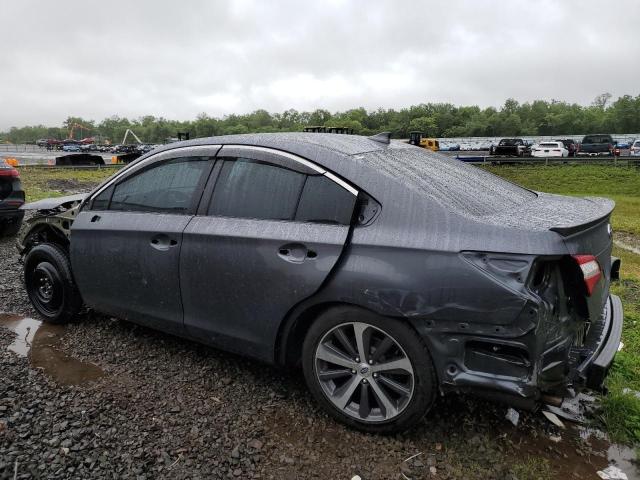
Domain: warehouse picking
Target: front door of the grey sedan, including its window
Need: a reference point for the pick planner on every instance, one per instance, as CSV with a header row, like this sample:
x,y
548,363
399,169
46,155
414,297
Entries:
x,y
125,242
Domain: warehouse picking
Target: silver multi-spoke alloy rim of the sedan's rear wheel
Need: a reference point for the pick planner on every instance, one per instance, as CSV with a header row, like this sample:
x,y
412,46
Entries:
x,y
364,372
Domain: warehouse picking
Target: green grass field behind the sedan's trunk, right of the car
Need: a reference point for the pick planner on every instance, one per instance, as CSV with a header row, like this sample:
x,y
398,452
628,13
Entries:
x,y
622,184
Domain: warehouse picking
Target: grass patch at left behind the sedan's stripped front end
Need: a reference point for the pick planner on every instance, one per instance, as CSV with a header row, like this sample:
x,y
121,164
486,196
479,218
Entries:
x,y
39,183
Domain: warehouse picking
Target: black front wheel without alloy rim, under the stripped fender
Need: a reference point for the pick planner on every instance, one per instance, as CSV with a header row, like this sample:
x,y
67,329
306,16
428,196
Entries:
x,y
50,285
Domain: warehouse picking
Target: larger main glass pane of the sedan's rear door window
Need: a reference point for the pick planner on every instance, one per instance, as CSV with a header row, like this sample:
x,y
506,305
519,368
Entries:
x,y
251,189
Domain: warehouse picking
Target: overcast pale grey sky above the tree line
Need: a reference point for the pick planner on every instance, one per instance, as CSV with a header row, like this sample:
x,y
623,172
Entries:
x,y
177,59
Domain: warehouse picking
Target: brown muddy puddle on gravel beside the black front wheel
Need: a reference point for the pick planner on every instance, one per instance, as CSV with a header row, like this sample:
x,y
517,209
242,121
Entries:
x,y
40,343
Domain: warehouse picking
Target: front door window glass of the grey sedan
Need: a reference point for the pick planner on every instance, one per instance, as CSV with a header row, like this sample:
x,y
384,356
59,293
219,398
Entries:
x,y
168,187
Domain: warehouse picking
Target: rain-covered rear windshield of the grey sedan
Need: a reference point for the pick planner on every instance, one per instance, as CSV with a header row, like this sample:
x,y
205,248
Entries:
x,y
455,185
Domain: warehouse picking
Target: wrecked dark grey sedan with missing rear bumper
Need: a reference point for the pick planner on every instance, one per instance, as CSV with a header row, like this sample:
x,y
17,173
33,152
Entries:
x,y
389,273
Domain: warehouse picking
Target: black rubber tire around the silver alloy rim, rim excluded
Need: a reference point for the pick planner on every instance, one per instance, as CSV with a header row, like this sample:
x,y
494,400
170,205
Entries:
x,y
424,378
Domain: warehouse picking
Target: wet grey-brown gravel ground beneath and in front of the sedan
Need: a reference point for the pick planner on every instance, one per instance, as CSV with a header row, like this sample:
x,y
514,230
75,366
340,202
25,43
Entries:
x,y
171,408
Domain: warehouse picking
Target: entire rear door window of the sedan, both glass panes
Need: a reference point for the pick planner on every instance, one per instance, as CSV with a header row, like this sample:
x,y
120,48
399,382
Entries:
x,y
248,188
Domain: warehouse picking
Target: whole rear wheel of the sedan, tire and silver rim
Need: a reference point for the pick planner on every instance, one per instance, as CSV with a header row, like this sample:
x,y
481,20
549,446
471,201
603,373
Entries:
x,y
369,372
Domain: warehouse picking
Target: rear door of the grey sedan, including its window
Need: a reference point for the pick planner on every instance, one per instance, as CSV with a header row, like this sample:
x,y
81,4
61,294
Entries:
x,y
268,232
